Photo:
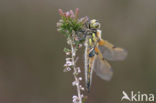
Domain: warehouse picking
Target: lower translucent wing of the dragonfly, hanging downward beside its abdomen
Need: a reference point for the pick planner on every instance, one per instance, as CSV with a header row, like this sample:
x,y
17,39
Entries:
x,y
103,69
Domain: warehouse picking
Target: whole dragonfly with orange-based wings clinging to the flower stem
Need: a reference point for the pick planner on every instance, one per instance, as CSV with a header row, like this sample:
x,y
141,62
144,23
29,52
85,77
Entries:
x,y
97,52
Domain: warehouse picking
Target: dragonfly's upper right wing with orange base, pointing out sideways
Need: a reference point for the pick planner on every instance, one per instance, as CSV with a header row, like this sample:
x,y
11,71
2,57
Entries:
x,y
110,52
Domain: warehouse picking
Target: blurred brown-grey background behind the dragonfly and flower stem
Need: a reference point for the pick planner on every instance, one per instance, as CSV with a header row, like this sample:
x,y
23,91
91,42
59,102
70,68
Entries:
x,y
32,58
